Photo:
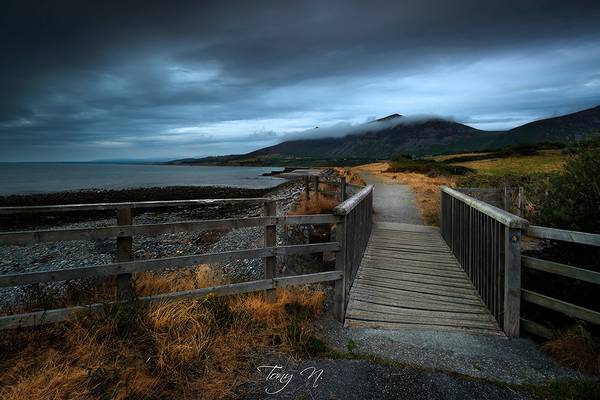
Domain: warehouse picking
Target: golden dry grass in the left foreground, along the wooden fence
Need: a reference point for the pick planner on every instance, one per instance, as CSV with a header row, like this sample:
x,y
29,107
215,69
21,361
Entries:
x,y
201,349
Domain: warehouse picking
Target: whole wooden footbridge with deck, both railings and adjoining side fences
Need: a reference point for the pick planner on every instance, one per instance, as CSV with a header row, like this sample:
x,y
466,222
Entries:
x,y
465,276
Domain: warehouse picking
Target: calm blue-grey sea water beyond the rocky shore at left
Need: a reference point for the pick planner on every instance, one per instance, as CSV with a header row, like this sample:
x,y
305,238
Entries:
x,y
46,178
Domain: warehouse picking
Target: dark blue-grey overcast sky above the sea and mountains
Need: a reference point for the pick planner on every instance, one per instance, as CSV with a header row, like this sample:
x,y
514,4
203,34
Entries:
x,y
85,80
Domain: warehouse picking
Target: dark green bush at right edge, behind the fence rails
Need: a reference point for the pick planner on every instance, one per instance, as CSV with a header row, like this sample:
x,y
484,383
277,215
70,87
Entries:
x,y
572,200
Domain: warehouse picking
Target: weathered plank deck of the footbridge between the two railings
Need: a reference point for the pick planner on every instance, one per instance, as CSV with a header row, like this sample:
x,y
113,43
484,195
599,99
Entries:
x,y
409,279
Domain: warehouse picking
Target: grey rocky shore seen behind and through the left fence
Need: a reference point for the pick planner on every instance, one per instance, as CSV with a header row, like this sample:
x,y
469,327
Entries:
x,y
60,255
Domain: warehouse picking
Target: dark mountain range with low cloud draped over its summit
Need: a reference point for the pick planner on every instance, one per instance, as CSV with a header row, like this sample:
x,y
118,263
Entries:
x,y
382,138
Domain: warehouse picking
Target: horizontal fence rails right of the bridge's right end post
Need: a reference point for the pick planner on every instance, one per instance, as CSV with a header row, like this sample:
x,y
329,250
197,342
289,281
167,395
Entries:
x,y
568,271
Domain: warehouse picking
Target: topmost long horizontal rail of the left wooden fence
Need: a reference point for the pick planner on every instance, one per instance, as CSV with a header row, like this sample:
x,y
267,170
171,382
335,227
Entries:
x,y
132,205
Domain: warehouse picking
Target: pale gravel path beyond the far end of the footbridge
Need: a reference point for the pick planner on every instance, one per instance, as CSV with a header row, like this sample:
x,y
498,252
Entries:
x,y
393,202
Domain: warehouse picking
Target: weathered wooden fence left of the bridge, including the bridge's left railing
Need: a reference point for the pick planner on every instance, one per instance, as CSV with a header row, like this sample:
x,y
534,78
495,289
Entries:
x,y
347,215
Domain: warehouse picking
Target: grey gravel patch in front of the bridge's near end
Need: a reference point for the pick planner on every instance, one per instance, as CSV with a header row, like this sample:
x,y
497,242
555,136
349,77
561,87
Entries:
x,y
490,357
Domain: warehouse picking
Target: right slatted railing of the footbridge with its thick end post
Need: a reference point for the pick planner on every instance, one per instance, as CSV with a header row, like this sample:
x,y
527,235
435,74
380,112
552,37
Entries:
x,y
486,241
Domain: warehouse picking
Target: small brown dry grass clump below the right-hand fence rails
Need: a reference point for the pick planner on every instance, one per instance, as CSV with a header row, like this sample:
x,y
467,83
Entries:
x,y
577,349
